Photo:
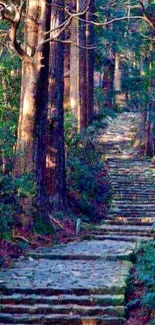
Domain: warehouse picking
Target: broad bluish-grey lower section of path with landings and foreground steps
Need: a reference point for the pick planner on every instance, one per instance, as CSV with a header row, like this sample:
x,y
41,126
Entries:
x,y
79,283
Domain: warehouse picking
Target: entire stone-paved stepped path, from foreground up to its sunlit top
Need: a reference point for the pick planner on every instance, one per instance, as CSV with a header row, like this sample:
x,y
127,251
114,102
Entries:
x,y
84,283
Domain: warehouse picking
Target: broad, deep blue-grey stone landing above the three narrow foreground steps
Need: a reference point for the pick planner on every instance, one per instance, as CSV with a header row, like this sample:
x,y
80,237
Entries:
x,y
57,277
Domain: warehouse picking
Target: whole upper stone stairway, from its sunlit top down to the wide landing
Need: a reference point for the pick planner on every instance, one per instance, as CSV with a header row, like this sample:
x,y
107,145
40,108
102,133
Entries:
x,y
132,209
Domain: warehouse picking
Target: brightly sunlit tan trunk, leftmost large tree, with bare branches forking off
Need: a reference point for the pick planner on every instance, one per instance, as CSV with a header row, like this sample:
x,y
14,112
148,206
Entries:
x,y
24,160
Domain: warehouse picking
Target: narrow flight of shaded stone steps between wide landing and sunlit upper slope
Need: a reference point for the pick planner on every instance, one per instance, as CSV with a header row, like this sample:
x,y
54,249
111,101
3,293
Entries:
x,y
132,212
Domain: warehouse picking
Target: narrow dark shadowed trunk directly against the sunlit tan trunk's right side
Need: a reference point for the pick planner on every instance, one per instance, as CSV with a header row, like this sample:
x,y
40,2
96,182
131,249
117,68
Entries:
x,y
42,59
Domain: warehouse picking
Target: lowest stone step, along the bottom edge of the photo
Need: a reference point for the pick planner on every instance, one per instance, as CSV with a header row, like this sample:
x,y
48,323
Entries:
x,y
59,319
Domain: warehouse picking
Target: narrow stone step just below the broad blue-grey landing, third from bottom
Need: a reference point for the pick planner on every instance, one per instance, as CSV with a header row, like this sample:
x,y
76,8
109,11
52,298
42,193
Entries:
x,y
92,300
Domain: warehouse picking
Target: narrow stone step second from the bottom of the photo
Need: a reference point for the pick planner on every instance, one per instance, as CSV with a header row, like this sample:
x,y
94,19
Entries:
x,y
117,311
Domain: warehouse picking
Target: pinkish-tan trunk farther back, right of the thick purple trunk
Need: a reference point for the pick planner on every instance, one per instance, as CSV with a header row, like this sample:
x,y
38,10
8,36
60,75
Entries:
x,y
78,68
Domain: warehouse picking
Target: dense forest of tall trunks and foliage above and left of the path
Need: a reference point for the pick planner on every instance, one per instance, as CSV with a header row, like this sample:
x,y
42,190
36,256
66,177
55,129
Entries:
x,y
65,67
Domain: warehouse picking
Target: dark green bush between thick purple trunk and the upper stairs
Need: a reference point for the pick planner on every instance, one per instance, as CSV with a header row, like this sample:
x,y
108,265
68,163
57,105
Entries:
x,y
84,165
